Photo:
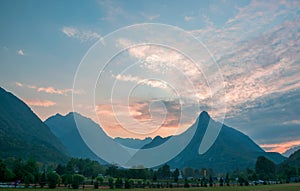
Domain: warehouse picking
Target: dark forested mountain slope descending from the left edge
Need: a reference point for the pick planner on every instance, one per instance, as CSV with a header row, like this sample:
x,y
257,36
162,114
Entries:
x,y
24,135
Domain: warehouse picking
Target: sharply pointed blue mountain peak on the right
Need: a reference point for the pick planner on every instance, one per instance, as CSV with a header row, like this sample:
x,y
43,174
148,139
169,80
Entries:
x,y
231,150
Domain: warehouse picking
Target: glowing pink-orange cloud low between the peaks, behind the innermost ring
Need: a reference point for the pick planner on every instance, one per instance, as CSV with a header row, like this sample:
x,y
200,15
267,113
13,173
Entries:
x,y
142,119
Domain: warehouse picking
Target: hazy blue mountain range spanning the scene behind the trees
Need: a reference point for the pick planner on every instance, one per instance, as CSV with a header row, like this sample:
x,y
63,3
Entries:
x,y
23,134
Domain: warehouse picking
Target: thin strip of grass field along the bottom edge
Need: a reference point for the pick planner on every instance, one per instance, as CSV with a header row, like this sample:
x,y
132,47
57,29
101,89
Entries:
x,y
278,187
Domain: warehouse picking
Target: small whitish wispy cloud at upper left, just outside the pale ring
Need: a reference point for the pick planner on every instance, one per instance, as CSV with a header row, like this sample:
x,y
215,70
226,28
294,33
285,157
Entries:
x,y
82,35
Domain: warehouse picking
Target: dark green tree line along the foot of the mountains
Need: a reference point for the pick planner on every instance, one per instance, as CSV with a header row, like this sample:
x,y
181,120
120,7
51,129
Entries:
x,y
79,172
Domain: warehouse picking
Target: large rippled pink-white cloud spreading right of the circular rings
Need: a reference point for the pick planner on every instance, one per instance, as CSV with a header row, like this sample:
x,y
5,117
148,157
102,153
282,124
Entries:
x,y
257,58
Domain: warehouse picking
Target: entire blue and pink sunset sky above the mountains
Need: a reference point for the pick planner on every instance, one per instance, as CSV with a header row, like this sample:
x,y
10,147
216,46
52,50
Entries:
x,y
152,89
